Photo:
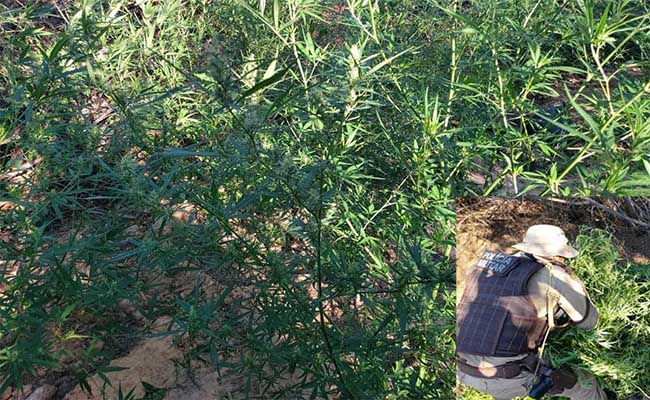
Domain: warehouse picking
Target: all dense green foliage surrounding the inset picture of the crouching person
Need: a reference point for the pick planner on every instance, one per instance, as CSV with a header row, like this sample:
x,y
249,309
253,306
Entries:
x,y
320,144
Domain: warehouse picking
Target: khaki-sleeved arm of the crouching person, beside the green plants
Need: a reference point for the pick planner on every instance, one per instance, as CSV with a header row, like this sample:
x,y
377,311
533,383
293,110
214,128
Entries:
x,y
573,299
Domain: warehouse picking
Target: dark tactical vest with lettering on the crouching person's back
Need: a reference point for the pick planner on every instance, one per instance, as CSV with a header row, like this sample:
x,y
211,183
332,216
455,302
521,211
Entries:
x,y
495,316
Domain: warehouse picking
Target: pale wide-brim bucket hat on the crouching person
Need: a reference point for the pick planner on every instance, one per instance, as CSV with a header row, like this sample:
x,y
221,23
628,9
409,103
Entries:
x,y
546,241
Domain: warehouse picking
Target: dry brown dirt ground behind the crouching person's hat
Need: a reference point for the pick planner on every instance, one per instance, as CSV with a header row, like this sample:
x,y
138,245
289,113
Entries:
x,y
495,223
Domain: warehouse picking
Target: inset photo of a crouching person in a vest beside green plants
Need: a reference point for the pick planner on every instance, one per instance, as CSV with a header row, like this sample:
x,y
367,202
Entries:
x,y
553,298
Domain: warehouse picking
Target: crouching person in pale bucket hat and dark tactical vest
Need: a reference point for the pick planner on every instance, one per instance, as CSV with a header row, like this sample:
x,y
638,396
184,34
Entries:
x,y
510,304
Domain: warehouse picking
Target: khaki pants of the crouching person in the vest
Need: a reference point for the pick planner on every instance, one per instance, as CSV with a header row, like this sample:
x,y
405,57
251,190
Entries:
x,y
587,387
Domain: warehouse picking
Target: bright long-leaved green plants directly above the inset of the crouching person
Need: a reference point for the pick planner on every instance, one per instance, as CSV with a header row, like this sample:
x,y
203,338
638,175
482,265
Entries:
x,y
546,92
